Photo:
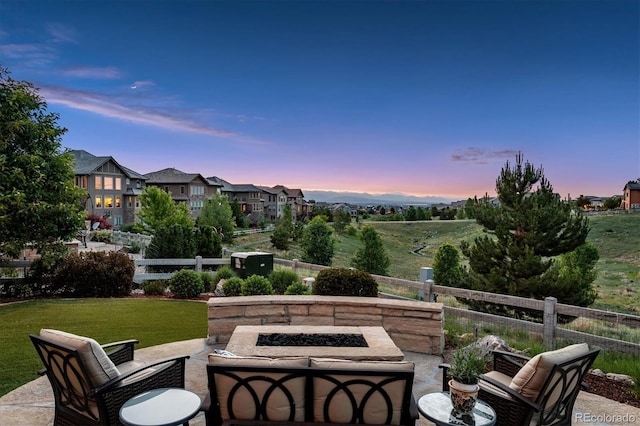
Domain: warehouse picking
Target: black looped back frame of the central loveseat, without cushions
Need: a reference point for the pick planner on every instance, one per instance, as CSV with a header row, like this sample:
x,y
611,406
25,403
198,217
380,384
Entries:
x,y
409,412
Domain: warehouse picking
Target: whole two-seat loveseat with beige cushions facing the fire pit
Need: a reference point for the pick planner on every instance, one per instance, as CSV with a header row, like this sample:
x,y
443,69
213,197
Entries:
x,y
289,391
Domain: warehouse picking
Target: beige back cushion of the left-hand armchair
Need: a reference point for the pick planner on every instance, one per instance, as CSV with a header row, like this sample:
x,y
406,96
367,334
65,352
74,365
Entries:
x,y
99,367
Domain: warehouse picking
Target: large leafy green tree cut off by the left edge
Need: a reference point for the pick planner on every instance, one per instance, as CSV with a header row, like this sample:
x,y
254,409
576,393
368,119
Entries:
x,y
39,203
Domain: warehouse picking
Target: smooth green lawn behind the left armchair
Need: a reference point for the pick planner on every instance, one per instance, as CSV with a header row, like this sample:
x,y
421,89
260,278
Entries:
x,y
151,321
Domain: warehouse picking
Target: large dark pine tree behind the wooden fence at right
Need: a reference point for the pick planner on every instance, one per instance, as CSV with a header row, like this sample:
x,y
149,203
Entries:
x,y
530,226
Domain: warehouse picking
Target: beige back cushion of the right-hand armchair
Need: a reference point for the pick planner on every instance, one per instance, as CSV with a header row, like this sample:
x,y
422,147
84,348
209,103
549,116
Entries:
x,y
532,376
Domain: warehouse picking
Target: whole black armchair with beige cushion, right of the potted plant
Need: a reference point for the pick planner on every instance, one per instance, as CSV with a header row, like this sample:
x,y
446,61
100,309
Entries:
x,y
535,391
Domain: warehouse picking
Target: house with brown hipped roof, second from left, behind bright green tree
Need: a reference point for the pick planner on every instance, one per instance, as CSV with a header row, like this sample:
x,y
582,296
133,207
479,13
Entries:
x,y
190,188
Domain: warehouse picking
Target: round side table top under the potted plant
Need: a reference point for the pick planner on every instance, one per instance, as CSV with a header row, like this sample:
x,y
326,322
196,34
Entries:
x,y
437,407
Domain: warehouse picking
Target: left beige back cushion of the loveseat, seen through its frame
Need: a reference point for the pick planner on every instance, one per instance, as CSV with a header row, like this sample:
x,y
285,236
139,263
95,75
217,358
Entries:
x,y
278,407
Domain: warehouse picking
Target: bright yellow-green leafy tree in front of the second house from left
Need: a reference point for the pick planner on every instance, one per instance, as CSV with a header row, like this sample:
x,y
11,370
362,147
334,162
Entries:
x,y
157,209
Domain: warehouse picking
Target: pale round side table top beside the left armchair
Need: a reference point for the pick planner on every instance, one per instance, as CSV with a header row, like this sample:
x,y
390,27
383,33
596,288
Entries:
x,y
160,407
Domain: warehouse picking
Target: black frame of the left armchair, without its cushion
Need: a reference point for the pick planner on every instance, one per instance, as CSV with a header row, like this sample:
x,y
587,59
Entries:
x,y
73,404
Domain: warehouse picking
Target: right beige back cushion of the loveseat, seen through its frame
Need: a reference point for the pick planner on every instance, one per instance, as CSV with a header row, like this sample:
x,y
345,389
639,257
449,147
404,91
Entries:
x,y
340,410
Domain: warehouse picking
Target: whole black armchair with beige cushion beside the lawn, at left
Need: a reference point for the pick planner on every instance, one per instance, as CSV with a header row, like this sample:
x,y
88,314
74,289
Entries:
x,y
91,382
